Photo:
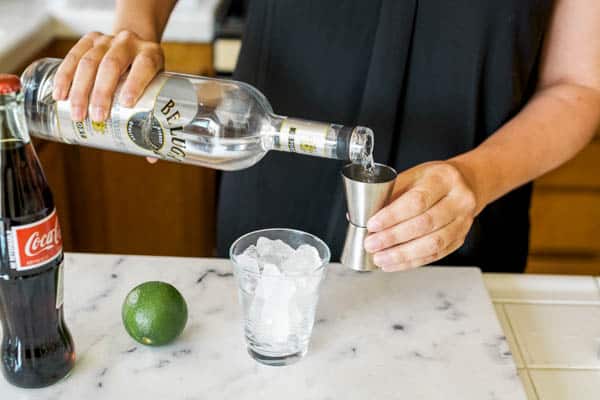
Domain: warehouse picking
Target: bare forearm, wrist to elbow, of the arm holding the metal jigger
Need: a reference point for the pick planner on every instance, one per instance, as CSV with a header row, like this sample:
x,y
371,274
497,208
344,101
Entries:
x,y
556,124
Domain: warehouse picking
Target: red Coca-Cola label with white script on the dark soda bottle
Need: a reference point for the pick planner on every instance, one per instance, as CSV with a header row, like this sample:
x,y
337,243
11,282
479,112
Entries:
x,y
38,243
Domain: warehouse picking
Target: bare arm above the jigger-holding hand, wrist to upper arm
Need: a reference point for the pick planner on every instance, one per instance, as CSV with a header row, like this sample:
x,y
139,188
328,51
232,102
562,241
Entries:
x,y
558,121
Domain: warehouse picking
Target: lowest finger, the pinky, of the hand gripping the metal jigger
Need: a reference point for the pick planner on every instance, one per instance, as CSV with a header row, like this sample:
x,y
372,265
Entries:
x,y
434,245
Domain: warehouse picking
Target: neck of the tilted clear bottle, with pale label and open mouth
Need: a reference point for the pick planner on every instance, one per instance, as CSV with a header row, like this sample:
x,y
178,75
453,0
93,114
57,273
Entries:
x,y
320,139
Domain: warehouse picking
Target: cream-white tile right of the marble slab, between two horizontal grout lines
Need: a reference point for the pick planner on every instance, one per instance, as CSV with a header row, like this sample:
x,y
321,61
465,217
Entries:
x,y
556,336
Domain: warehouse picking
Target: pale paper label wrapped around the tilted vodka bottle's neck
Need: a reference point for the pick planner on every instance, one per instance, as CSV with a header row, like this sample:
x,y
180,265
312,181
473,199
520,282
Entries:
x,y
304,137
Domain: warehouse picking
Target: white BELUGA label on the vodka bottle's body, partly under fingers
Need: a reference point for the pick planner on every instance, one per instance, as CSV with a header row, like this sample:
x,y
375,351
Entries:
x,y
152,128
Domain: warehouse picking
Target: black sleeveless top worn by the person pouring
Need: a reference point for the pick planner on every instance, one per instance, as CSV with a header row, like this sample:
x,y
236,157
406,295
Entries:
x,y
433,78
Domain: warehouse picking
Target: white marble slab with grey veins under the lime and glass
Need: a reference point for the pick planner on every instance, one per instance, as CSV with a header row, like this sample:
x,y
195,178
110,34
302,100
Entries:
x,y
426,334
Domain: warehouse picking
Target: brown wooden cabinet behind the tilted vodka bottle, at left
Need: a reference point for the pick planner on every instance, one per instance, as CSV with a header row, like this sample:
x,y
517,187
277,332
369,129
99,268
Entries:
x,y
117,203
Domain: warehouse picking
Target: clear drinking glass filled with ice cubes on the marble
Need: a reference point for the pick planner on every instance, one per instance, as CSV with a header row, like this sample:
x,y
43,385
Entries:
x,y
278,307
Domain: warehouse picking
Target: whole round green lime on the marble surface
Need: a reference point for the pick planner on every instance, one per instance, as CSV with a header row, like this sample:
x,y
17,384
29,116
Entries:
x,y
154,313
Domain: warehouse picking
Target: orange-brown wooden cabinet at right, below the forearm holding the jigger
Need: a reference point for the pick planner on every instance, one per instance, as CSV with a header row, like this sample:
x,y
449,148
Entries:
x,y
565,217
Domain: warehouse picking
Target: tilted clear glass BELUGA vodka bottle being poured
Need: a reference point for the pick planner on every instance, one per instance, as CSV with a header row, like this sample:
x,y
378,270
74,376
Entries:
x,y
221,124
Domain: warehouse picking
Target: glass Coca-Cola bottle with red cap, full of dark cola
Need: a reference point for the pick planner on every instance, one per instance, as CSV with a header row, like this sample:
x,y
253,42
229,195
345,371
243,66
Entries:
x,y
37,349
